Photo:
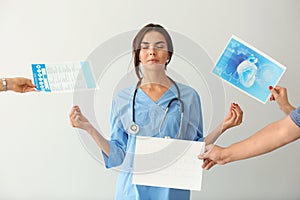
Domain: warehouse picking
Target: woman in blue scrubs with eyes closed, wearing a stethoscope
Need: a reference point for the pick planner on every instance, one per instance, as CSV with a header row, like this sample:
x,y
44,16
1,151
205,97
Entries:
x,y
145,105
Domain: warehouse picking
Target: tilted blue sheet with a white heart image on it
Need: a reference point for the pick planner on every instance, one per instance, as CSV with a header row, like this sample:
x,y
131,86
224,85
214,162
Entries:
x,y
248,69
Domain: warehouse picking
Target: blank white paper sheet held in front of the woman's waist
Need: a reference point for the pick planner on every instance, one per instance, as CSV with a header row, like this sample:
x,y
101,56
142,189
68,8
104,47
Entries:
x,y
168,163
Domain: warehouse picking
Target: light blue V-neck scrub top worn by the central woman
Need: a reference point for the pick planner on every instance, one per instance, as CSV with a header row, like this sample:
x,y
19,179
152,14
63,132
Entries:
x,y
148,115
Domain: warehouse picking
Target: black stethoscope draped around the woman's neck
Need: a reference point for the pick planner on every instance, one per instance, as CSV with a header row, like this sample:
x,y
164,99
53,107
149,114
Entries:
x,y
134,128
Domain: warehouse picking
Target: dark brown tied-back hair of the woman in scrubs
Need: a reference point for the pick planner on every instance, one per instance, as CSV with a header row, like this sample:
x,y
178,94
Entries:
x,y
137,44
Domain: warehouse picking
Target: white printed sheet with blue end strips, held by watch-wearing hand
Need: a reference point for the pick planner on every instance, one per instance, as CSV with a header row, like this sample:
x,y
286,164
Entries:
x,y
63,76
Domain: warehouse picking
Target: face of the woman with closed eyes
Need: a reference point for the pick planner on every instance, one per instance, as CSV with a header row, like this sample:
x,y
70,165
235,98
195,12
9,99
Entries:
x,y
154,50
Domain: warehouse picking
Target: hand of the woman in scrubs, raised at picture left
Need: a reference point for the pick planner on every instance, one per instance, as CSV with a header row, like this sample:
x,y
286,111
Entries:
x,y
78,120
